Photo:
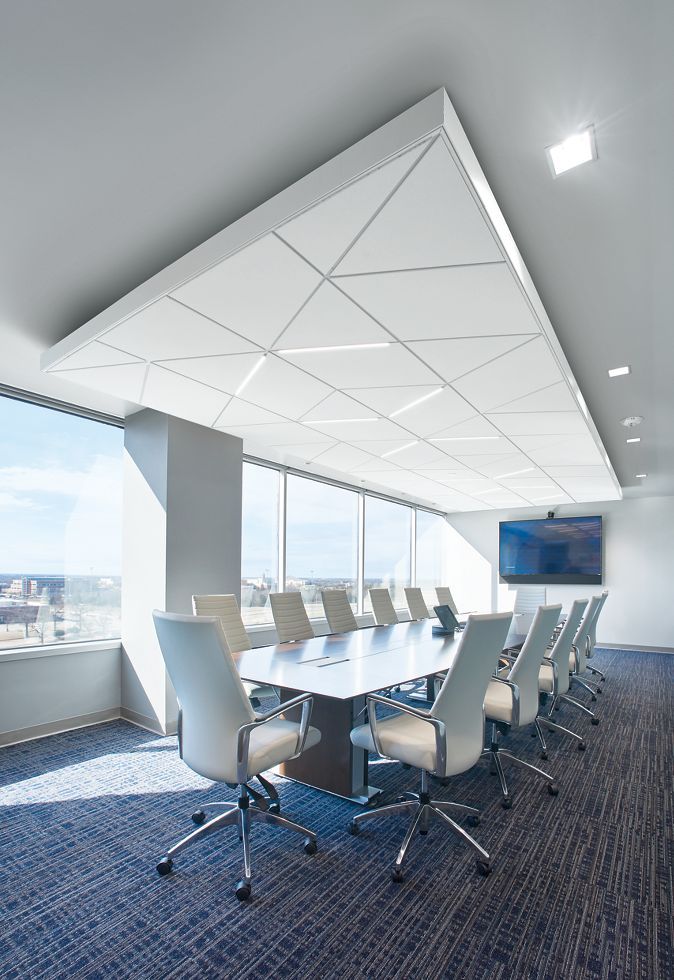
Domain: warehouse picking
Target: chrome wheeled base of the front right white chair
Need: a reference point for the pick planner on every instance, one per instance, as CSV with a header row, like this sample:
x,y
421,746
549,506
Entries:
x,y
422,808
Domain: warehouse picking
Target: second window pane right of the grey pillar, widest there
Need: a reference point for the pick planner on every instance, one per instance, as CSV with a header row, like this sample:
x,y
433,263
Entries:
x,y
321,541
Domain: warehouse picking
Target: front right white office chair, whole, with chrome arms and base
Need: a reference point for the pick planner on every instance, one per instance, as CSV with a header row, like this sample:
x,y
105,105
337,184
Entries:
x,y
444,741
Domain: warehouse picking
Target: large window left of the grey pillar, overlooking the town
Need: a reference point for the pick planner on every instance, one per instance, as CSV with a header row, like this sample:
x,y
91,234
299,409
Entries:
x,y
60,526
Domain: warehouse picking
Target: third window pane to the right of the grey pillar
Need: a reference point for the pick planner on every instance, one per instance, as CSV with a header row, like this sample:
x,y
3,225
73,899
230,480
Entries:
x,y
388,536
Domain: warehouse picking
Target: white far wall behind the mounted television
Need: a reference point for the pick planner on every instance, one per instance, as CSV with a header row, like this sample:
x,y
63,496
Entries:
x,y
638,567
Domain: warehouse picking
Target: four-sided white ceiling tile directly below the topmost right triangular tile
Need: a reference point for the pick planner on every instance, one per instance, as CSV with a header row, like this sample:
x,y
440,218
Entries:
x,y
462,301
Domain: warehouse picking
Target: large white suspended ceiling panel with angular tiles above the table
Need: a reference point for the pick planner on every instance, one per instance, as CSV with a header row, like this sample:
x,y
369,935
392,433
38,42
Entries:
x,y
374,322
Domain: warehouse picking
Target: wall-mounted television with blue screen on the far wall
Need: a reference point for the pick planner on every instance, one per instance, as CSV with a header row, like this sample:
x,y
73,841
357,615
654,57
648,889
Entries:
x,y
557,551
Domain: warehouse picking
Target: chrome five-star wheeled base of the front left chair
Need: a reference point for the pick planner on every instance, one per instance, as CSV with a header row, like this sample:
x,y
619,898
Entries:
x,y
240,814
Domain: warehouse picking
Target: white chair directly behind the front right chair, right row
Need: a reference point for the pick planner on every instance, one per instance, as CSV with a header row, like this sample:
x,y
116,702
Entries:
x,y
512,699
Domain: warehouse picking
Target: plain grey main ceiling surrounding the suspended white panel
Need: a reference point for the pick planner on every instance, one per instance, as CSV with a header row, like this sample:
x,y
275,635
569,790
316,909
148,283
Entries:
x,y
134,132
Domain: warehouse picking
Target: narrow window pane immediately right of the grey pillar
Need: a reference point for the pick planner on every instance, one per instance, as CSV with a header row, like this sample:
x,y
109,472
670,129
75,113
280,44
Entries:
x,y
259,541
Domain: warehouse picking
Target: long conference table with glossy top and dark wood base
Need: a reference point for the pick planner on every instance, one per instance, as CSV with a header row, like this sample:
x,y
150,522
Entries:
x,y
340,670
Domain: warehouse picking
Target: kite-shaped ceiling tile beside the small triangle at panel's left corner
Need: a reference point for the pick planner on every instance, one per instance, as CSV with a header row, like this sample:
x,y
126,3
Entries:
x,y
167,330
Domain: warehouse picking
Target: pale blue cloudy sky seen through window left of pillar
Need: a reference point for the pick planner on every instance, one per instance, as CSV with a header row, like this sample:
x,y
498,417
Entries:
x,y
60,492
